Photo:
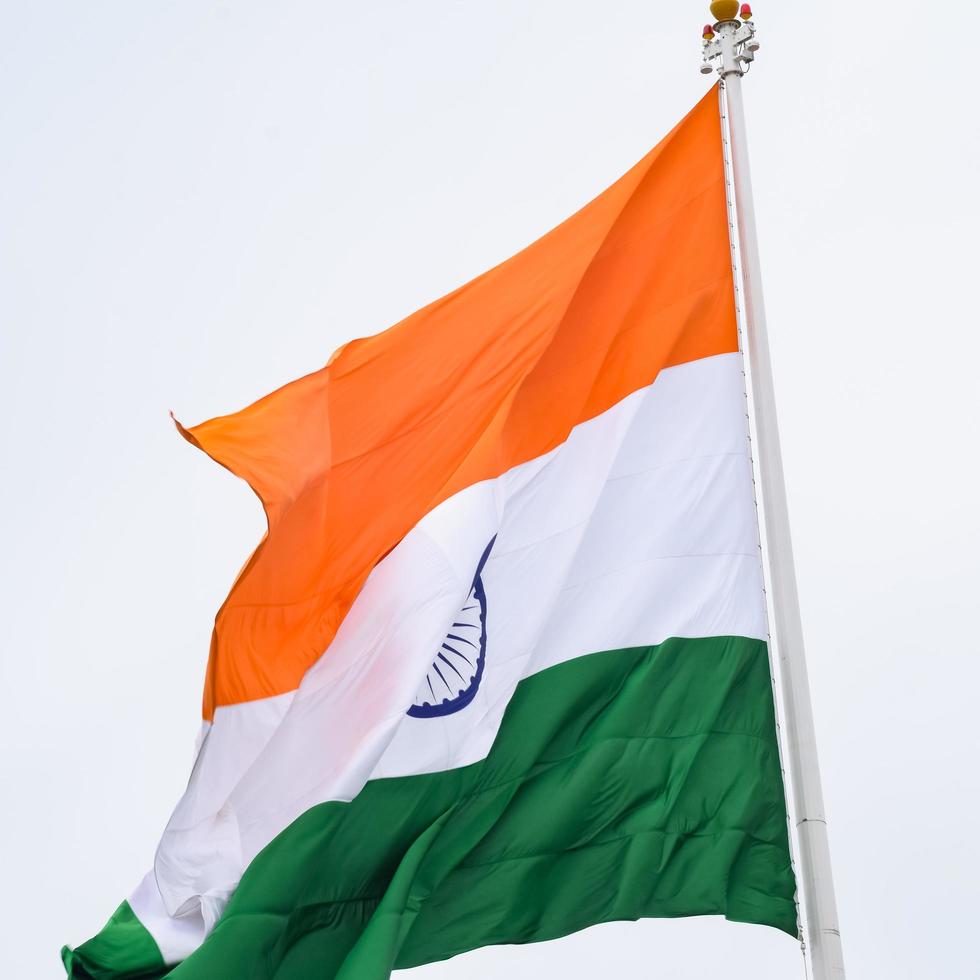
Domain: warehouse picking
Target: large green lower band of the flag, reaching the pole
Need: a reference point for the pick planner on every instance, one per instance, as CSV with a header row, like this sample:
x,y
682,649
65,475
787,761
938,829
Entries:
x,y
628,784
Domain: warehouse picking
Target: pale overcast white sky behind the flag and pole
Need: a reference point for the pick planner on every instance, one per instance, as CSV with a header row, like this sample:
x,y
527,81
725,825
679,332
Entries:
x,y
200,200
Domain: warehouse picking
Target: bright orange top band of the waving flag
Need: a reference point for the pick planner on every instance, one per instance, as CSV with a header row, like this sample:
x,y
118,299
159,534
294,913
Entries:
x,y
347,460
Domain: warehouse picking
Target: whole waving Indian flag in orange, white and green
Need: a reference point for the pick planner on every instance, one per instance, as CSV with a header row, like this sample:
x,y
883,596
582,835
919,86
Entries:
x,y
498,670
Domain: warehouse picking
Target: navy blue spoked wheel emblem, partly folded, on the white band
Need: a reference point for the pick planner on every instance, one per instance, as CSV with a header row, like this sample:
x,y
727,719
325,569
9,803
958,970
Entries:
x,y
454,676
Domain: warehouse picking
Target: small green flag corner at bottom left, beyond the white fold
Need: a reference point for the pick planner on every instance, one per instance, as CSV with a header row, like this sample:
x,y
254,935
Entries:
x,y
122,949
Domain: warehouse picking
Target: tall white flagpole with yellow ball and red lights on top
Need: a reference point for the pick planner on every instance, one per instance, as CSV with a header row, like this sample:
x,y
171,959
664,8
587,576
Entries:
x,y
730,48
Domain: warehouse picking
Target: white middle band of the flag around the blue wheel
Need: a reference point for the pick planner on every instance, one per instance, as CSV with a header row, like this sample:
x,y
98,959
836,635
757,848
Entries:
x,y
640,527
